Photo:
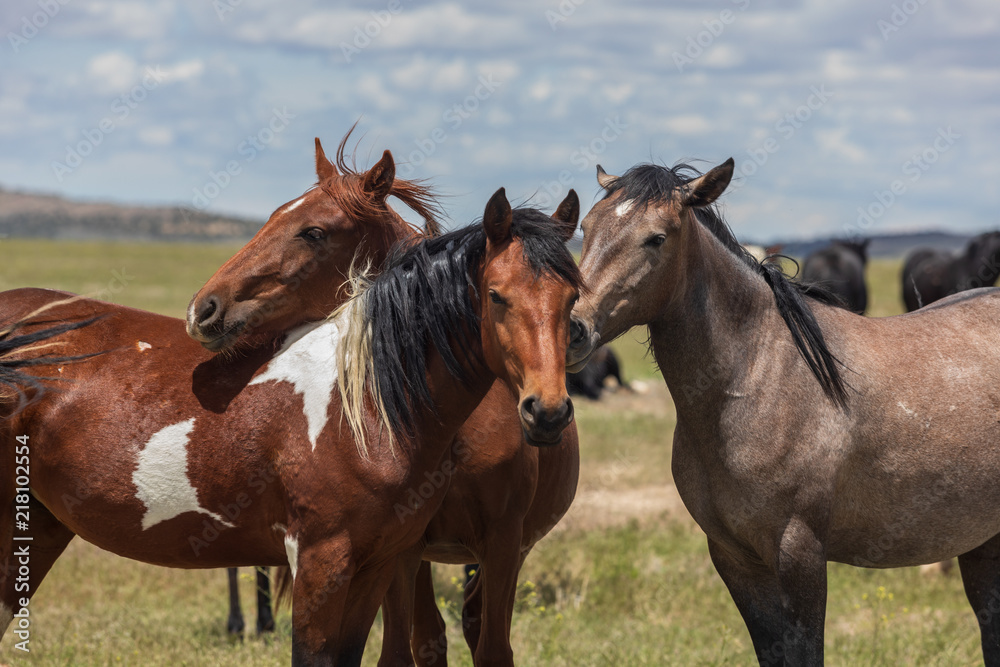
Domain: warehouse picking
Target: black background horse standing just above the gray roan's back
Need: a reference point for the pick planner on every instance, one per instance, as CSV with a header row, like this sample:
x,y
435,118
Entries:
x,y
840,269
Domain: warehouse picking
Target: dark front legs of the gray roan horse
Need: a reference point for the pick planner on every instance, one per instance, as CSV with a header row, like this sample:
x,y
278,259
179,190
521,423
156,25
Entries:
x,y
785,611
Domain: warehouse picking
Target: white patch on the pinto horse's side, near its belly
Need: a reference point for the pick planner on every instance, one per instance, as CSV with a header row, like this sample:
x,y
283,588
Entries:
x,y
161,477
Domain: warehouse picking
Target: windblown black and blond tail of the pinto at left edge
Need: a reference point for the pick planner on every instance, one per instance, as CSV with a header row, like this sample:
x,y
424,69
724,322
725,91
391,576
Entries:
x,y
13,380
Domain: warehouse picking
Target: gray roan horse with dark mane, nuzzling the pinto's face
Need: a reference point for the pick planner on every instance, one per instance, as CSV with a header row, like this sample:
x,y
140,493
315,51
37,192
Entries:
x,y
805,433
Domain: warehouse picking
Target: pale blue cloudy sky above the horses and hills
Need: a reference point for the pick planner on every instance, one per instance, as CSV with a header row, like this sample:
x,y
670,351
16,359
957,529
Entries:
x,y
853,117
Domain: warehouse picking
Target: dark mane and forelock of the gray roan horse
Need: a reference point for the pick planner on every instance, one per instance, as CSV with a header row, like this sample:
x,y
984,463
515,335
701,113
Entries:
x,y
651,183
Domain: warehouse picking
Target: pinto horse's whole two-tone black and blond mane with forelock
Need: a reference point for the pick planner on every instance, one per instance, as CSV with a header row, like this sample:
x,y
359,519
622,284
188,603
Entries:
x,y
428,297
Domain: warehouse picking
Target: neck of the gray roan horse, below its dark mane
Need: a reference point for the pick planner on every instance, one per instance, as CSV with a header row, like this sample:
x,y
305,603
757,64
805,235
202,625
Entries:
x,y
715,329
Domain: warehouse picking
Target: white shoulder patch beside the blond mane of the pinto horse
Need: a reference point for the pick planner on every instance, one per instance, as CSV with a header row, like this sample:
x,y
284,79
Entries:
x,y
308,359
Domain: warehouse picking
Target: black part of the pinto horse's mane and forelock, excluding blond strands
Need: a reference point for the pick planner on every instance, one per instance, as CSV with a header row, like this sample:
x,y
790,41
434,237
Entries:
x,y
422,299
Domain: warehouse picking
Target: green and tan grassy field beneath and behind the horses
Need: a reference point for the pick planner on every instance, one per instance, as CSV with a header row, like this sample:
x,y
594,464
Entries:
x,y
626,580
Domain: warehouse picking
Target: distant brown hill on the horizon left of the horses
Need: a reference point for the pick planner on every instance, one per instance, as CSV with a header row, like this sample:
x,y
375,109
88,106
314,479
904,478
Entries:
x,y
28,215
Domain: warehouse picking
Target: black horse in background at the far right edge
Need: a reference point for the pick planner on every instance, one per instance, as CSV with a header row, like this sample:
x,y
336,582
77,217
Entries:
x,y
929,275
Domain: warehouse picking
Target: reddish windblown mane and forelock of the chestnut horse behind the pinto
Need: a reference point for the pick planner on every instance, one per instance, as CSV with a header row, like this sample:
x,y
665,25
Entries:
x,y
347,191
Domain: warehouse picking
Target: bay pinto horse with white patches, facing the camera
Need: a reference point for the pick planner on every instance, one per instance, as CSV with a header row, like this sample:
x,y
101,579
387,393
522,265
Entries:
x,y
274,479
